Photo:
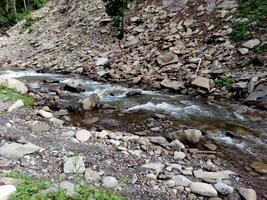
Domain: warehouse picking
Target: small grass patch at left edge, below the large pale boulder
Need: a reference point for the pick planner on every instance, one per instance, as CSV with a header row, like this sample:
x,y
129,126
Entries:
x,y
11,95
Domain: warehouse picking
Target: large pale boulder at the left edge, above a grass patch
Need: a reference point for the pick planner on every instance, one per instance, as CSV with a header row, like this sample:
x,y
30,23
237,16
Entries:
x,y
13,84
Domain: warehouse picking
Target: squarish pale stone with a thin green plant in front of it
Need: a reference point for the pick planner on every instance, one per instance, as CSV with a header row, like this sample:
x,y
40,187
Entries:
x,y
74,164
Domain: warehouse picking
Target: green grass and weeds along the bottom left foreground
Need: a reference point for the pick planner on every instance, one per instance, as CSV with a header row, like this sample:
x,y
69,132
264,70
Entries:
x,y
29,189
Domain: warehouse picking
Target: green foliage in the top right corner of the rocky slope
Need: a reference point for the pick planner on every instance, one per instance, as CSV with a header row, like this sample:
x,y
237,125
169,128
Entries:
x,y
255,13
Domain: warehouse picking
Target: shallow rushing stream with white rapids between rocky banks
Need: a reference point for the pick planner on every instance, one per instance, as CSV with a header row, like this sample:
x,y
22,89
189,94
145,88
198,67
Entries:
x,y
243,133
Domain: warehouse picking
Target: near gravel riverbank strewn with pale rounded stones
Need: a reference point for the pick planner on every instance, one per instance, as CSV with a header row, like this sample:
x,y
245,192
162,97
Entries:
x,y
139,164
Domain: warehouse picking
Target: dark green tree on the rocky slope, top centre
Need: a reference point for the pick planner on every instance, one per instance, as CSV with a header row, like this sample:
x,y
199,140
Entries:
x,y
116,9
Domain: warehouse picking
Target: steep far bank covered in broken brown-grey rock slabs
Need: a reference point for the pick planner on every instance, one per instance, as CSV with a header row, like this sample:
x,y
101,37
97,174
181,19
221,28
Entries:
x,y
167,46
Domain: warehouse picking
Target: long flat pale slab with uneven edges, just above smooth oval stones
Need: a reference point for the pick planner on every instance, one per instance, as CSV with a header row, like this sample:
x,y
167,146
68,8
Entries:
x,y
213,175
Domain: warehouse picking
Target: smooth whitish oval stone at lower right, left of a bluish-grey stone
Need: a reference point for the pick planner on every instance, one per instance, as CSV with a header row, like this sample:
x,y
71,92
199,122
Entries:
x,y
203,189
